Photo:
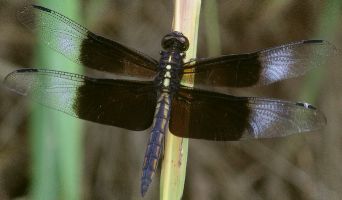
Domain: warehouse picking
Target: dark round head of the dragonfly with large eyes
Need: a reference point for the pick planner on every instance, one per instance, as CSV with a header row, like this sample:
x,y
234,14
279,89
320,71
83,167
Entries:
x,y
175,40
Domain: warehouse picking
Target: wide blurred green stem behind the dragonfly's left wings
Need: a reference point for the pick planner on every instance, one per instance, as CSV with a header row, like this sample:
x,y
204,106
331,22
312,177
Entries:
x,y
55,137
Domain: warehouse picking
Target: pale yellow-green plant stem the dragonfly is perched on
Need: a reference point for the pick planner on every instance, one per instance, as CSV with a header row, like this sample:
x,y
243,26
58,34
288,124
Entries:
x,y
186,20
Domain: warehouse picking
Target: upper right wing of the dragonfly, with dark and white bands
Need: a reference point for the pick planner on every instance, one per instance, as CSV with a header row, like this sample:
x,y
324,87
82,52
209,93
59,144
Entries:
x,y
263,67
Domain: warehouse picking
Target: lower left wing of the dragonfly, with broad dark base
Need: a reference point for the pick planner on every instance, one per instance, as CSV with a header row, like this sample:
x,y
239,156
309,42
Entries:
x,y
120,103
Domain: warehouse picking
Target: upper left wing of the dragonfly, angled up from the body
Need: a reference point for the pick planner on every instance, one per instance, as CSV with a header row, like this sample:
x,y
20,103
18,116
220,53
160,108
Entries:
x,y
84,47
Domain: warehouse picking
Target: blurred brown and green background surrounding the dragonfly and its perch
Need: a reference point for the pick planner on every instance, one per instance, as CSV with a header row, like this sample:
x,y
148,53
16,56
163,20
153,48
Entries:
x,y
105,162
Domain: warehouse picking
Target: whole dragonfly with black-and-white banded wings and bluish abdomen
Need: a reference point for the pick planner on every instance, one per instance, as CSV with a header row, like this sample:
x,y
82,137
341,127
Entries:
x,y
150,94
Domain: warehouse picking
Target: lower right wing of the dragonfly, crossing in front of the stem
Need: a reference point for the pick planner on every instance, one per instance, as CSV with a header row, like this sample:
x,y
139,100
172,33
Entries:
x,y
212,116
